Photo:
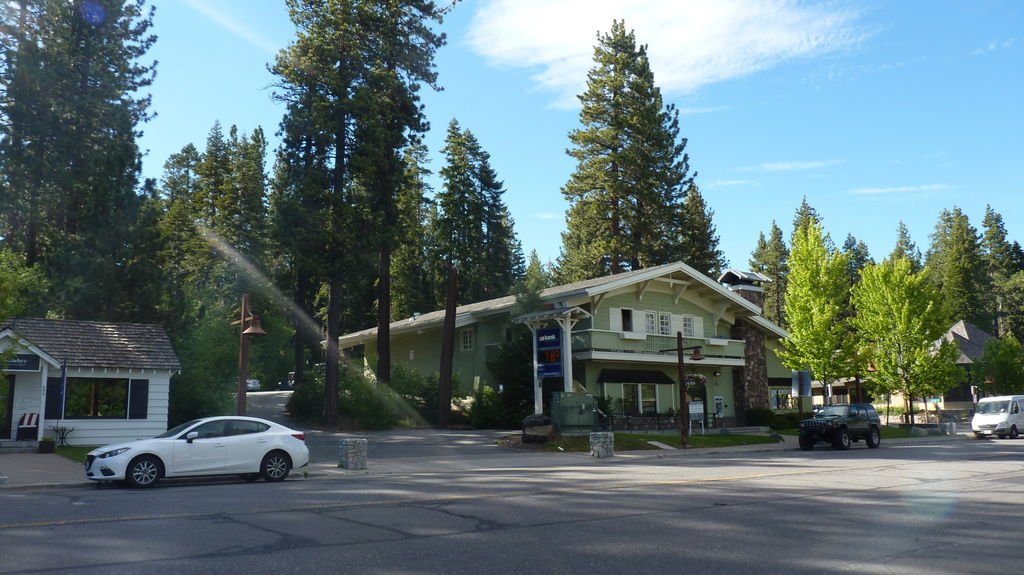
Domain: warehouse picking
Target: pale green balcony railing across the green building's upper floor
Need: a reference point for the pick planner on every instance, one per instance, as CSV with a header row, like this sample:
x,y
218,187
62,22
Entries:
x,y
607,341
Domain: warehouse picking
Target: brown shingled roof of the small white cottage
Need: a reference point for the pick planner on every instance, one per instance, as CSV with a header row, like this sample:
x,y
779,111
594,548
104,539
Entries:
x,y
96,344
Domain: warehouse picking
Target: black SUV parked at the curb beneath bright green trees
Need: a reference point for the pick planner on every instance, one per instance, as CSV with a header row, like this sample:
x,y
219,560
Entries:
x,y
841,425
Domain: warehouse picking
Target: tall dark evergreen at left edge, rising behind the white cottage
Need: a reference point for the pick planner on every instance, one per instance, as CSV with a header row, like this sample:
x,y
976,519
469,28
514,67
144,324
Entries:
x,y
72,76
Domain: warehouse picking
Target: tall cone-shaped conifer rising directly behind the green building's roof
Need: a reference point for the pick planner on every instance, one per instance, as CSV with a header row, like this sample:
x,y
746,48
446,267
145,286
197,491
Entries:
x,y
632,171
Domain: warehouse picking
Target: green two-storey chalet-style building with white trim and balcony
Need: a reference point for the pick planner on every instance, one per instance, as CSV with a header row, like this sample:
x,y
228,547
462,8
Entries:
x,y
622,331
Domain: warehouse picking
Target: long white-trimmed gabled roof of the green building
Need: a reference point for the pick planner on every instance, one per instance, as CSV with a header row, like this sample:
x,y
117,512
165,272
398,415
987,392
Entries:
x,y
596,287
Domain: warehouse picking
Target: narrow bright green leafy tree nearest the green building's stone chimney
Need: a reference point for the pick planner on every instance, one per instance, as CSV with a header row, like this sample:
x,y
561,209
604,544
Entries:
x,y
816,297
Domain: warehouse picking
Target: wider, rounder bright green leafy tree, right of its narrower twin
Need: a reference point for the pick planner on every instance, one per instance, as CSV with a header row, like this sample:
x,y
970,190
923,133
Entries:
x,y
900,320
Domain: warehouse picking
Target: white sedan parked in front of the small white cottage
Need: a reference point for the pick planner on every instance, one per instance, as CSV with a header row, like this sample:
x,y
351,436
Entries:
x,y
228,446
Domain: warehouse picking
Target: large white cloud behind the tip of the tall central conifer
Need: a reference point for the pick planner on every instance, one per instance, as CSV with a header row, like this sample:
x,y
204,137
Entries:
x,y
692,45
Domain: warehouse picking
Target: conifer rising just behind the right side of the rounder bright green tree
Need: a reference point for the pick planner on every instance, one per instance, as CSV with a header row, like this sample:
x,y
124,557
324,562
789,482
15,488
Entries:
x,y
957,268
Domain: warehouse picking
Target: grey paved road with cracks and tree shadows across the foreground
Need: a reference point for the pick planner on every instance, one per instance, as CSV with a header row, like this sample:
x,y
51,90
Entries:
x,y
948,508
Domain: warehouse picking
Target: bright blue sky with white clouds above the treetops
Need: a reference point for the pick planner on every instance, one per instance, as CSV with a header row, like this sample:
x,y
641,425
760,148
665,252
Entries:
x,y
877,112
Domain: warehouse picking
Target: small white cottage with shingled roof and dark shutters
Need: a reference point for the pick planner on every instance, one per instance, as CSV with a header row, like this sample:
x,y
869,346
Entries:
x,y
95,383
